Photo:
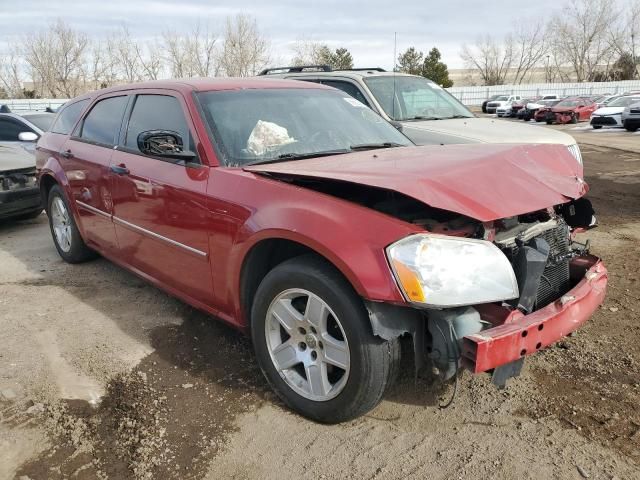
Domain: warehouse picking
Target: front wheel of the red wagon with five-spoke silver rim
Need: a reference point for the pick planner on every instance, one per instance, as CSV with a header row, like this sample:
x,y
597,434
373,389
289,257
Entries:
x,y
371,363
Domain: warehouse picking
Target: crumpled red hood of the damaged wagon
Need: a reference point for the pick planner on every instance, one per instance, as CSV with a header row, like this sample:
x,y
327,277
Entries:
x,y
485,182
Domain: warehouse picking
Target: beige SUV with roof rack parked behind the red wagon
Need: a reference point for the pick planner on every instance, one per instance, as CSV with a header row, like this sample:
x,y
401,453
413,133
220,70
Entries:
x,y
425,112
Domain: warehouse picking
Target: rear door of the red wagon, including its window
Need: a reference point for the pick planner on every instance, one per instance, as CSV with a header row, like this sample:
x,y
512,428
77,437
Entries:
x,y
86,157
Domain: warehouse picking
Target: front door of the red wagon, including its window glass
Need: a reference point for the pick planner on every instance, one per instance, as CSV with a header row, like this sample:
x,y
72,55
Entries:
x,y
160,205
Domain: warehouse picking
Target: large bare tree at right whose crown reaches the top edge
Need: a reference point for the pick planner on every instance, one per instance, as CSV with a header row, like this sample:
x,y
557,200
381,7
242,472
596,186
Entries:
x,y
580,36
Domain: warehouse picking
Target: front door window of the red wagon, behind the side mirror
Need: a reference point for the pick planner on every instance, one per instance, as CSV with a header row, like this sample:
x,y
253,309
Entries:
x,y
157,112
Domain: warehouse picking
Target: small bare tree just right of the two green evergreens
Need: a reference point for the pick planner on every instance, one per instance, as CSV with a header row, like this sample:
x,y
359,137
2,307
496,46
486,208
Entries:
x,y
490,58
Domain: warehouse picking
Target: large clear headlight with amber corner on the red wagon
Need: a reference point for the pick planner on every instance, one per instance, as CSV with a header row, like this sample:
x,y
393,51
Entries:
x,y
441,271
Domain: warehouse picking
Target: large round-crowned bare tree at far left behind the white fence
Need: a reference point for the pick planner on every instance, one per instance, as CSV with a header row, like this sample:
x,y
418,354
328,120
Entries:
x,y
56,58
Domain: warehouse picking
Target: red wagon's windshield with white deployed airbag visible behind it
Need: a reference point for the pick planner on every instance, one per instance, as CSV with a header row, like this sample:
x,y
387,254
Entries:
x,y
264,125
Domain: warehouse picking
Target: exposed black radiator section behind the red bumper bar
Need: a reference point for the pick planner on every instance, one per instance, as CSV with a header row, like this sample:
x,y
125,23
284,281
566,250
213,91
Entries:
x,y
555,279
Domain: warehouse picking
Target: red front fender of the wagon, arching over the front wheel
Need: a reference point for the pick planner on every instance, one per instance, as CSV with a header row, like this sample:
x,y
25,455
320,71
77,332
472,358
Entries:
x,y
352,237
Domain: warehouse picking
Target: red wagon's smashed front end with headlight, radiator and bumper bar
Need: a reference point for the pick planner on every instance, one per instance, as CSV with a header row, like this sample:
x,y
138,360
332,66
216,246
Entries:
x,y
548,283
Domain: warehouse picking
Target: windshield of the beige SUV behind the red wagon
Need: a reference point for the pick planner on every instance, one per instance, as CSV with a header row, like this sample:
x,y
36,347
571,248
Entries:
x,y
415,98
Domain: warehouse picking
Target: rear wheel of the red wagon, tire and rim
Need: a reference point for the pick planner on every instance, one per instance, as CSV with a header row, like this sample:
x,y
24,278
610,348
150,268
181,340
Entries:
x,y
70,245
